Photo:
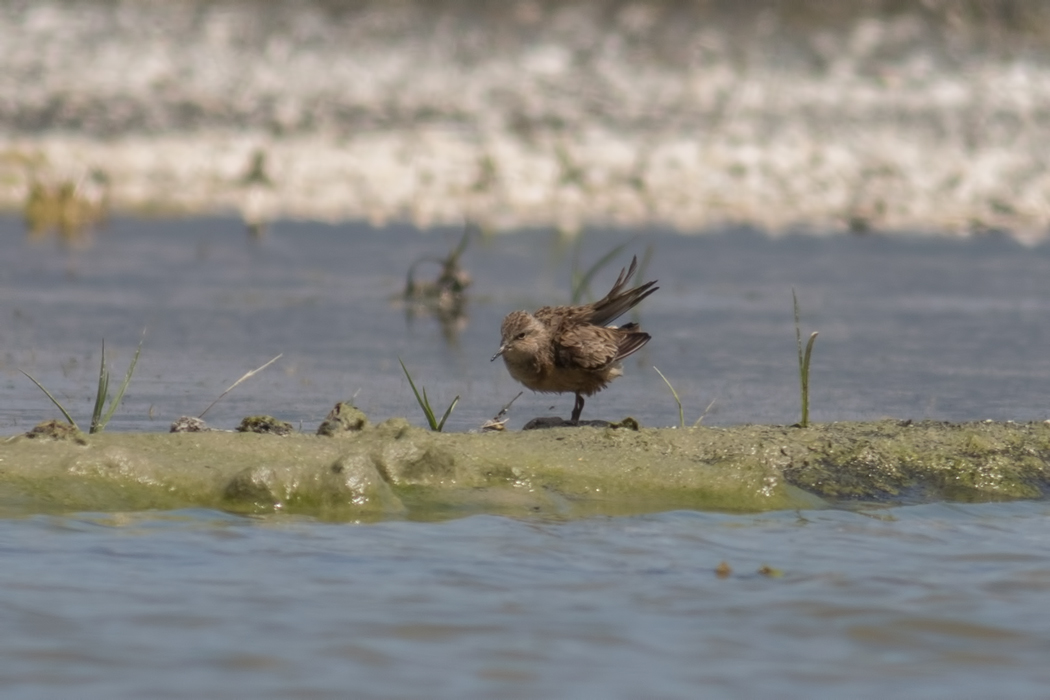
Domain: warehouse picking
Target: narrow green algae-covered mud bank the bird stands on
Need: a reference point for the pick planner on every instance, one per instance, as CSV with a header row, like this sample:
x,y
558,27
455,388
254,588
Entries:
x,y
396,471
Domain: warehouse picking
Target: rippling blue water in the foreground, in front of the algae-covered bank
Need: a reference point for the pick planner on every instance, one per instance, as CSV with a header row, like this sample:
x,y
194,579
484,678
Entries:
x,y
930,602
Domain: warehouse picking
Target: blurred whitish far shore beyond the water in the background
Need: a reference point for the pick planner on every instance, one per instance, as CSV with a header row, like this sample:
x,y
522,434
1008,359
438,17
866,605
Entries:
x,y
867,117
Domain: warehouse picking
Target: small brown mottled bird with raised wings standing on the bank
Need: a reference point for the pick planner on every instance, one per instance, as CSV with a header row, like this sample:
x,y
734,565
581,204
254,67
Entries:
x,y
558,350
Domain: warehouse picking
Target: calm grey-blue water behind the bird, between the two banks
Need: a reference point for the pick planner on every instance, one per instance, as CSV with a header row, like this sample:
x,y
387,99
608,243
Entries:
x,y
910,328
